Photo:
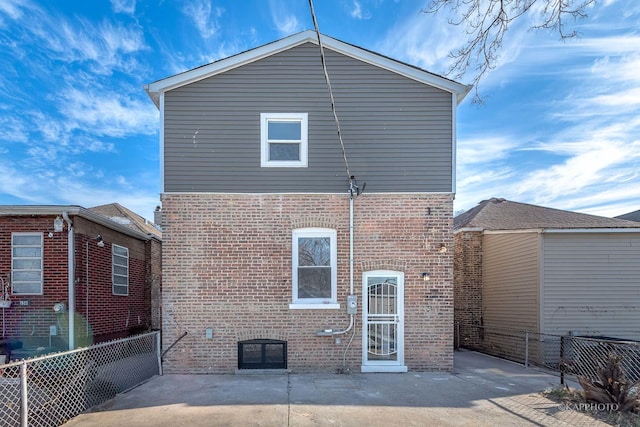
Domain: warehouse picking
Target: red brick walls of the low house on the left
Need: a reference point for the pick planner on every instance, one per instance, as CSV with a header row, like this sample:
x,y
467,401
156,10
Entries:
x,y
106,315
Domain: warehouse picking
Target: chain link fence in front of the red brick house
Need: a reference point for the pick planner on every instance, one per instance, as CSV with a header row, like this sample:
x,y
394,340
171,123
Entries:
x,y
50,390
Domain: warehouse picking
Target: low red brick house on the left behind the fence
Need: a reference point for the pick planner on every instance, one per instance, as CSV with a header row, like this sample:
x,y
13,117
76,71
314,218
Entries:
x,y
74,276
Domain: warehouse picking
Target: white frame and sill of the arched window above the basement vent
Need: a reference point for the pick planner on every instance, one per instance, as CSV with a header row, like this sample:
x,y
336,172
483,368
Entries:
x,y
314,303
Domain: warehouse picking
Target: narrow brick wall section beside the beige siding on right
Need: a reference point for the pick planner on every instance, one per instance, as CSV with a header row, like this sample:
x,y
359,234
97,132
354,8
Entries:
x,y
467,287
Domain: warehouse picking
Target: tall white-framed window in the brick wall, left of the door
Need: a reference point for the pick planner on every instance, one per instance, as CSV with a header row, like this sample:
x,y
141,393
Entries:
x,y
315,262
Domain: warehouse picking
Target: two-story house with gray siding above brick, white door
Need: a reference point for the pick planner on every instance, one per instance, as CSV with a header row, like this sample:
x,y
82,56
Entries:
x,y
258,211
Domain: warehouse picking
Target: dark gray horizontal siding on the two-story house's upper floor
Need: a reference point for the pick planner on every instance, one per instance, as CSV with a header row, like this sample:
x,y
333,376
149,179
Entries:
x,y
397,131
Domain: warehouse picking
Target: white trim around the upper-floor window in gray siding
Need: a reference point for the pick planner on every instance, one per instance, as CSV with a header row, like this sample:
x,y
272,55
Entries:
x,y
303,118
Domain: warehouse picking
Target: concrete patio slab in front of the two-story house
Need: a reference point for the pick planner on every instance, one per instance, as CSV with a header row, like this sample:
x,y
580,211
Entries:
x,y
482,391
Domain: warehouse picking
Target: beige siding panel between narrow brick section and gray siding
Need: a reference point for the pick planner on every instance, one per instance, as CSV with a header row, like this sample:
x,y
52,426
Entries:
x,y
510,295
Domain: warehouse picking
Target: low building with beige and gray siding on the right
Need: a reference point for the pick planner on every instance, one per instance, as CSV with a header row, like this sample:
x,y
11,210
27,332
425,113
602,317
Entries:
x,y
524,267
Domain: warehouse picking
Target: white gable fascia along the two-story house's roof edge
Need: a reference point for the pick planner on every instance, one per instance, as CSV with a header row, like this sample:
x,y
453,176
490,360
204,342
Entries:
x,y
160,86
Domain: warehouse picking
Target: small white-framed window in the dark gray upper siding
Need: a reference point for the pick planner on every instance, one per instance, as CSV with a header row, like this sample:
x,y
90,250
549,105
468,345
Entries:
x,y
283,139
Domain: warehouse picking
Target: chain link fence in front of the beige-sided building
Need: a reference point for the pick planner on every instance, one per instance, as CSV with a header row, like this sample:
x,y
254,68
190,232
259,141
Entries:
x,y
566,354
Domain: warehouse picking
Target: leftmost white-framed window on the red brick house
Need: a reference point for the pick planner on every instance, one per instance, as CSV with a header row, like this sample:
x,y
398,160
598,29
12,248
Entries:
x,y
26,263
